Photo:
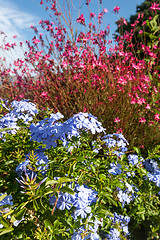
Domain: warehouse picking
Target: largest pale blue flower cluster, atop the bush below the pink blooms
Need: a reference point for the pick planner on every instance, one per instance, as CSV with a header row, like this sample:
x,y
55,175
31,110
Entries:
x,y
48,131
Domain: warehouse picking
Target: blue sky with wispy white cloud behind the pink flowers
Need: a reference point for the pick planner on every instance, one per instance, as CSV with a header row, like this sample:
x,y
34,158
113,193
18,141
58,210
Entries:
x,y
16,17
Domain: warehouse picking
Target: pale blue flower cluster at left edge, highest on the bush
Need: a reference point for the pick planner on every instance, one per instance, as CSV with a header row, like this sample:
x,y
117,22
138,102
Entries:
x,y
23,110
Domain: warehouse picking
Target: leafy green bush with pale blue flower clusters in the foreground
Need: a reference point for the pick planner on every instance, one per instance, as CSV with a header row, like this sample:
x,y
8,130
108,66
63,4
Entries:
x,y
71,180
